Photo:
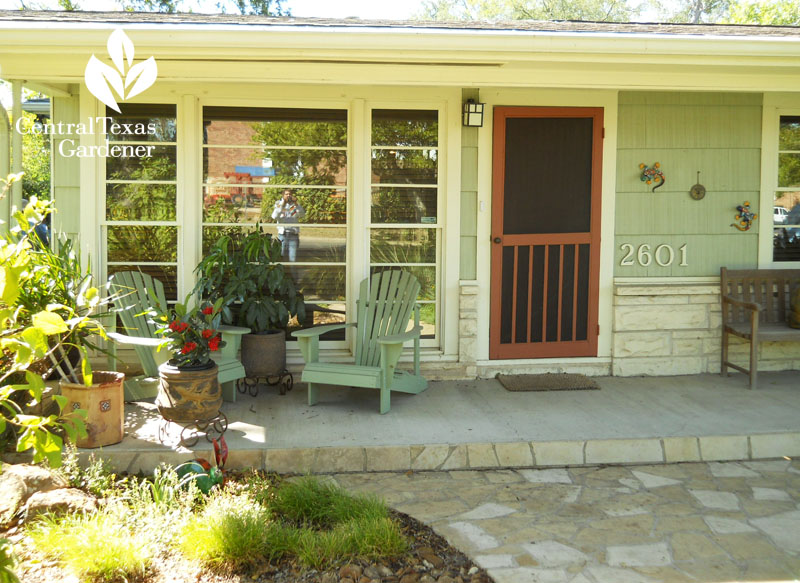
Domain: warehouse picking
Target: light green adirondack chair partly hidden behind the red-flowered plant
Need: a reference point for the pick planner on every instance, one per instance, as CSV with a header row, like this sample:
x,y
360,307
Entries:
x,y
132,287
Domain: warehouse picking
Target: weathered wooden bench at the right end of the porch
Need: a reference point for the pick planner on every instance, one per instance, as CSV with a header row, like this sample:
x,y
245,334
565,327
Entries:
x,y
755,306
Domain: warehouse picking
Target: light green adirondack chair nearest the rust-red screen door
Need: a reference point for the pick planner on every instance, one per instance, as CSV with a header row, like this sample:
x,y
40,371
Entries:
x,y
383,311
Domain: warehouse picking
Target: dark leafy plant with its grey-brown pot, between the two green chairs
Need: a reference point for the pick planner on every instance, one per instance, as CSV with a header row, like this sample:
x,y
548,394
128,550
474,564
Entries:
x,y
242,270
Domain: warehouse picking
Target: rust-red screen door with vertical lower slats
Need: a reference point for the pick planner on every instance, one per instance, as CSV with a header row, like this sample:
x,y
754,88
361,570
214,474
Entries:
x,y
545,232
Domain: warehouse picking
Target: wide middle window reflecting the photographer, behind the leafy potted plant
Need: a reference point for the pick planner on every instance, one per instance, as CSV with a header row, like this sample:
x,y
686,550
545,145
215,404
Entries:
x,y
283,171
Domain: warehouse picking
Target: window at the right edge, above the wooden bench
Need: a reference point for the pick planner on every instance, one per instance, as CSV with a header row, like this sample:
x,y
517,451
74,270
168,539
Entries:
x,y
786,202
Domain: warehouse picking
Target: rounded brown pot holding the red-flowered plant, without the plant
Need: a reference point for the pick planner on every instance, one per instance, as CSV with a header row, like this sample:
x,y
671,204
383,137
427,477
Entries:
x,y
188,395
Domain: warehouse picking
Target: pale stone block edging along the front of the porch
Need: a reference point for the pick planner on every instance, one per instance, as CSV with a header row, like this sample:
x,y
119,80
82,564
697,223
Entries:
x,y
474,456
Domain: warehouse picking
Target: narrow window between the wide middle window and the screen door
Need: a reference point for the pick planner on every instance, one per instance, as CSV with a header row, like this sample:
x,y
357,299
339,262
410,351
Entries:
x,y
405,228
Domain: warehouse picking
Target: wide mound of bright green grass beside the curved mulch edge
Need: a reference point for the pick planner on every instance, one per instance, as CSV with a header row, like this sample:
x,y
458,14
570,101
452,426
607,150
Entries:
x,y
316,523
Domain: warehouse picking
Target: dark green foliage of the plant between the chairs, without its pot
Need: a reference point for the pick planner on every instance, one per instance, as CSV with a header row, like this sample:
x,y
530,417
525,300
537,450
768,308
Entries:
x,y
241,271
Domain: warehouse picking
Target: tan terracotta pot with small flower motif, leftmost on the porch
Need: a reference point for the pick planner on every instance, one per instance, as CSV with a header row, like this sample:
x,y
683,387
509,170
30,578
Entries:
x,y
104,404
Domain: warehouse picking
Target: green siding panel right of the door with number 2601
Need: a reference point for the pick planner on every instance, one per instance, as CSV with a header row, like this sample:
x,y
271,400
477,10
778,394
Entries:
x,y
717,134
